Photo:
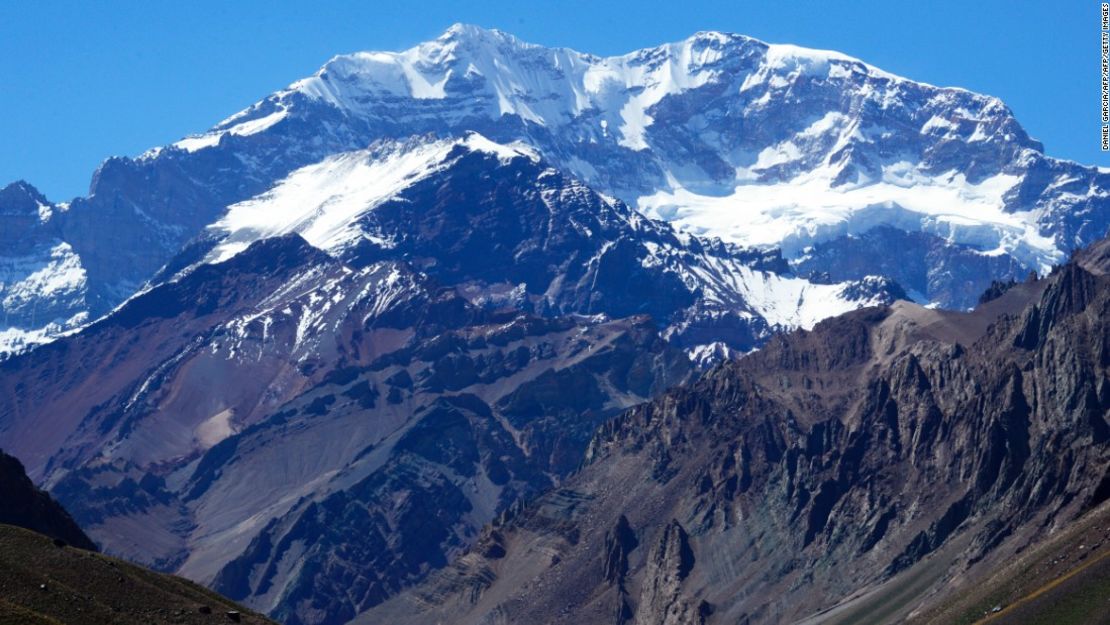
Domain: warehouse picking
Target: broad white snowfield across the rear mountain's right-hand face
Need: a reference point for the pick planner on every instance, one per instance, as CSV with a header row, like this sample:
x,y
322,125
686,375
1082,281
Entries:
x,y
810,209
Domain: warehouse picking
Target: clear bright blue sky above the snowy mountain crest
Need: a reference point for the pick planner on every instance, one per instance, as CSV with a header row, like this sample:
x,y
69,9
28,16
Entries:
x,y
82,82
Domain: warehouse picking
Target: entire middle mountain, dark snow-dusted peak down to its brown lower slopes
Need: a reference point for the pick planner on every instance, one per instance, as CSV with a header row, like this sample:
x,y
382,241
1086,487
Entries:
x,y
449,288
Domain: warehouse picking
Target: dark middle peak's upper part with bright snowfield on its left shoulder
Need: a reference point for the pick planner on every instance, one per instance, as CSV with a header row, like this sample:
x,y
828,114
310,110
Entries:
x,y
453,201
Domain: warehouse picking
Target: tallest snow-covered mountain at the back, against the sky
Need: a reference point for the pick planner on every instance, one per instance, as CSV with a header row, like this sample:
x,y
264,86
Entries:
x,y
823,158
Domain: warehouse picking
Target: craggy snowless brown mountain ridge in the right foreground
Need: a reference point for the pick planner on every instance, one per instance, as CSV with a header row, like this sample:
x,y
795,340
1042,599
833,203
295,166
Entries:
x,y
884,459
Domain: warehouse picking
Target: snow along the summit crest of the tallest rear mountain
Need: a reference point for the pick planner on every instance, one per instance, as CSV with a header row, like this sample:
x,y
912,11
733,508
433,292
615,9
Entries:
x,y
548,87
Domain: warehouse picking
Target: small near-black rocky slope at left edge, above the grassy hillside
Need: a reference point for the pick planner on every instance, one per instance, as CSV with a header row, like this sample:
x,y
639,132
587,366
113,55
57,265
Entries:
x,y
27,507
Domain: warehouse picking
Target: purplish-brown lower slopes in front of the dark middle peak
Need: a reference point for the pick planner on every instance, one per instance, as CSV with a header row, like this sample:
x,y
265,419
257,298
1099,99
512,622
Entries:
x,y
176,428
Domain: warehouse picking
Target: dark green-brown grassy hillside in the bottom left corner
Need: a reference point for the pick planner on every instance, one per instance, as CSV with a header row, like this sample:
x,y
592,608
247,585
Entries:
x,y
42,583
